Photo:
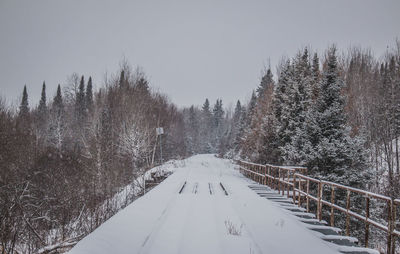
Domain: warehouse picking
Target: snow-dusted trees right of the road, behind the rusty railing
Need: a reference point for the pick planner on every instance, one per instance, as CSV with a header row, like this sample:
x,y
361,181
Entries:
x,y
336,114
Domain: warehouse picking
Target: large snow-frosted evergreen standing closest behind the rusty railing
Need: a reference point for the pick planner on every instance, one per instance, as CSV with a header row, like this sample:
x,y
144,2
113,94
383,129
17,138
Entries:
x,y
333,154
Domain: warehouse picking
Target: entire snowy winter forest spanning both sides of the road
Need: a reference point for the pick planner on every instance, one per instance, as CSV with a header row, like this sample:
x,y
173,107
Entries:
x,y
62,162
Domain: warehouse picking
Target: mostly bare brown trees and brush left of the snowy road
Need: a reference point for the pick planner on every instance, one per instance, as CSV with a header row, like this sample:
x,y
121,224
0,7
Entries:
x,y
63,161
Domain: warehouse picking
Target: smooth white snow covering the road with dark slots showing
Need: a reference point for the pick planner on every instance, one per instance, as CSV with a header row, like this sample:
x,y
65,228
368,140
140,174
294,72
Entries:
x,y
195,221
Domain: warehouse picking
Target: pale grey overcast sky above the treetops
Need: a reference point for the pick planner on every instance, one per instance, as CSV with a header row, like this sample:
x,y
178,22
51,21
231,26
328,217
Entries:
x,y
190,50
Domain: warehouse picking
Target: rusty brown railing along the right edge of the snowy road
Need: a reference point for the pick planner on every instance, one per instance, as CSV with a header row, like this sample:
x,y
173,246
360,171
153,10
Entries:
x,y
293,182
